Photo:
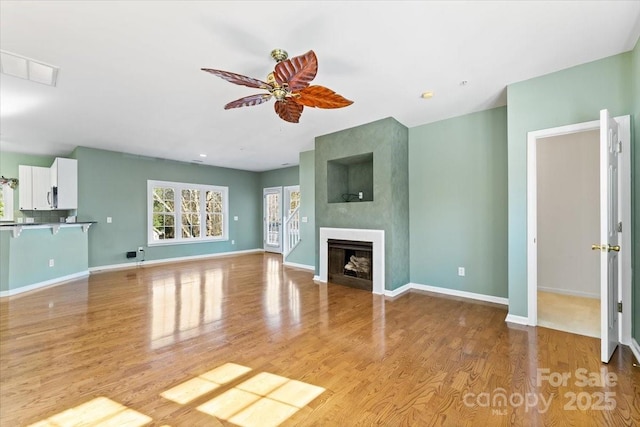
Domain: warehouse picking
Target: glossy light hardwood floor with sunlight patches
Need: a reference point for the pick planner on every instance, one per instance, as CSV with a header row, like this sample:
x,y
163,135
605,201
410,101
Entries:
x,y
245,341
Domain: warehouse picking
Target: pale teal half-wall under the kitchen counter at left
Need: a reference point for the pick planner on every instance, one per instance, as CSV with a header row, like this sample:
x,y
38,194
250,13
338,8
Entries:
x,y
25,259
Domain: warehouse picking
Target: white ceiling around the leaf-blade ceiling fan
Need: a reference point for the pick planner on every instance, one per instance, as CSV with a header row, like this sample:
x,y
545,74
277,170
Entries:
x,y
130,76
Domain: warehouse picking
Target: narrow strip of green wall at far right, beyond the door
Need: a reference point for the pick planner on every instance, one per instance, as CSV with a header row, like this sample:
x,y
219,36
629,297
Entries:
x,y
635,198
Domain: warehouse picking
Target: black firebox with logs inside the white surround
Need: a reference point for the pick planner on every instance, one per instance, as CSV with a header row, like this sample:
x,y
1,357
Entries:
x,y
350,263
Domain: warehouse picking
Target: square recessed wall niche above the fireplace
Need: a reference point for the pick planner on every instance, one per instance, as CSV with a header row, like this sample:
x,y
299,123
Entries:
x,y
350,179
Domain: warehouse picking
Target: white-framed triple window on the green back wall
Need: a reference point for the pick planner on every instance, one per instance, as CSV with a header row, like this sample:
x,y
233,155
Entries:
x,y
186,213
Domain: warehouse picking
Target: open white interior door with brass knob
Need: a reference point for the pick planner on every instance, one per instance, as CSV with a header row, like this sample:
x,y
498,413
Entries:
x,y
608,246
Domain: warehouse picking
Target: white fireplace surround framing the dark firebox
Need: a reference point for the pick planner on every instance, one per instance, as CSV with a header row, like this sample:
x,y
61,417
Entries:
x,y
374,237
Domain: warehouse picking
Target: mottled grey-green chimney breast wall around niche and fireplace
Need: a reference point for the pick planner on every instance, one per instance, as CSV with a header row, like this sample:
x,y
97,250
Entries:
x,y
387,139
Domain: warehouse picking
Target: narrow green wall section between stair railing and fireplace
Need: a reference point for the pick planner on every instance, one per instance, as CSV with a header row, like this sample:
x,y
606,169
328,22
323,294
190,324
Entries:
x,y
305,252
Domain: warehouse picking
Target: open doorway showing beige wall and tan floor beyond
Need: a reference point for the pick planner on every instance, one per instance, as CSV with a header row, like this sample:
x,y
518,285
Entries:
x,y
568,215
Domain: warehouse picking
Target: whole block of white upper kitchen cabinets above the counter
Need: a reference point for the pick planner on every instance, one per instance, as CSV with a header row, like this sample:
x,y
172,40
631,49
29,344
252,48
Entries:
x,y
49,188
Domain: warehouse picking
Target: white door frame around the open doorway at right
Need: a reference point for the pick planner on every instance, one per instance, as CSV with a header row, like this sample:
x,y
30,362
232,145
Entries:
x,y
624,290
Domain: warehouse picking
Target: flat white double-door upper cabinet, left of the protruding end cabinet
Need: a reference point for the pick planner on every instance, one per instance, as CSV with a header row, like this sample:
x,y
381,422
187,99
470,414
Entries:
x,y
34,188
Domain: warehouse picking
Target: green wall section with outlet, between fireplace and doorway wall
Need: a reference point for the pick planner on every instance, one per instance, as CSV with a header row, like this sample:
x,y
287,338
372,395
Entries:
x,y
458,203
